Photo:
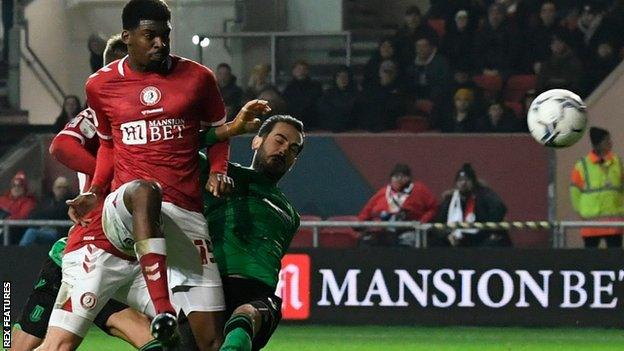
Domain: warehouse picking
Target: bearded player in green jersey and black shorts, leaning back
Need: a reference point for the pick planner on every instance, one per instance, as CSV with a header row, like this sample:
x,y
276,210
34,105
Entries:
x,y
251,230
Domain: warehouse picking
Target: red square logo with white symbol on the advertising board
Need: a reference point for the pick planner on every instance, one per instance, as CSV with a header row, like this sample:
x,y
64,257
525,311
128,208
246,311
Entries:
x,y
294,286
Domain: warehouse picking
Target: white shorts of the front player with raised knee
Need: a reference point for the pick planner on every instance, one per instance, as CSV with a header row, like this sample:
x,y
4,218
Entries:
x,y
190,260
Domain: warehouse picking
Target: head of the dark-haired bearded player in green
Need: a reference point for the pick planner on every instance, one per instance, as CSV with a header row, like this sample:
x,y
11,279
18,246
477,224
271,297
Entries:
x,y
277,145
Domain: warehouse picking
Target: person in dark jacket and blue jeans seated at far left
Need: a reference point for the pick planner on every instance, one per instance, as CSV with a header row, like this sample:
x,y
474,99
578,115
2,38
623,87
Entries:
x,y
53,207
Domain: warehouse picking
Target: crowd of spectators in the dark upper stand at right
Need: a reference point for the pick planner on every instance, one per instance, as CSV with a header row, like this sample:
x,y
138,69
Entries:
x,y
466,66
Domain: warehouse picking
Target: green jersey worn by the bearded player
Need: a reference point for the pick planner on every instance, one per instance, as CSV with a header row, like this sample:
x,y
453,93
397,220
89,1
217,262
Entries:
x,y
252,228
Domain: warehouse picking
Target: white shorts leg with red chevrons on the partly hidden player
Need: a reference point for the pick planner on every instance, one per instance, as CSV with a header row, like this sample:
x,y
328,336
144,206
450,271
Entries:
x,y
90,277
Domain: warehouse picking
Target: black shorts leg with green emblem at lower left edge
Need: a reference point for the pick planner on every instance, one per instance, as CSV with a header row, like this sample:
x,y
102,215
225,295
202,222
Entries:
x,y
36,313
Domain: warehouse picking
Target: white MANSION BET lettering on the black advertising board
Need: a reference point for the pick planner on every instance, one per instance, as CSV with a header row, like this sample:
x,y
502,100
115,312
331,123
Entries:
x,y
467,288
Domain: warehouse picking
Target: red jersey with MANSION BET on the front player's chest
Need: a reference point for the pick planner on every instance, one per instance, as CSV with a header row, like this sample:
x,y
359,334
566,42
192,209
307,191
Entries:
x,y
153,120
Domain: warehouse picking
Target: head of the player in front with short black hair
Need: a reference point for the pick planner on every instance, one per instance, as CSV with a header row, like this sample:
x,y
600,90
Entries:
x,y
146,30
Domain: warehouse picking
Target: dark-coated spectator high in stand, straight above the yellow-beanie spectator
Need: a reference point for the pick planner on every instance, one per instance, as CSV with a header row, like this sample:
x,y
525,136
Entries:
x,y
458,42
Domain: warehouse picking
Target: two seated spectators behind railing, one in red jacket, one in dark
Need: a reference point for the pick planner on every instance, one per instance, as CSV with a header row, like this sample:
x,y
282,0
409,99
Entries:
x,y
407,199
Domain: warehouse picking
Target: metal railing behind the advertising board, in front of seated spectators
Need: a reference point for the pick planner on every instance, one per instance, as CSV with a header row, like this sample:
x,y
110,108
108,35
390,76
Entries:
x,y
558,228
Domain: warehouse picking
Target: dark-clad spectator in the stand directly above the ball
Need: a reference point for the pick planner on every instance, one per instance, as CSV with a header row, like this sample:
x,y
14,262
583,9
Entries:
x,y
563,69
